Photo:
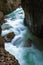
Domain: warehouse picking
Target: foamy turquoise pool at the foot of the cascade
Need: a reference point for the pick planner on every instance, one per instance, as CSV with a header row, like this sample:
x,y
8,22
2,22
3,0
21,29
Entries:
x,y
26,55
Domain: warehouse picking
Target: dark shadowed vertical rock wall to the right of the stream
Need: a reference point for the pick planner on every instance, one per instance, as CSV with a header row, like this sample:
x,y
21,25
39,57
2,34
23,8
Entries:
x,y
34,9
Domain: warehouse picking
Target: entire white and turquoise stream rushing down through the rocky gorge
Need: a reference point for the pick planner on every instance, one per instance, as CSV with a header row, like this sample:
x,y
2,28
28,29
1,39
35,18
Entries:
x,y
25,55
